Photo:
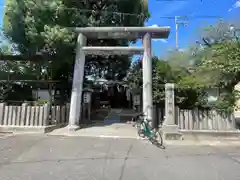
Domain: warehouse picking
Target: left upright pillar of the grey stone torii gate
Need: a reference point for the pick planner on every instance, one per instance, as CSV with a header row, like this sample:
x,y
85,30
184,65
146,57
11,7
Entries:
x,y
76,96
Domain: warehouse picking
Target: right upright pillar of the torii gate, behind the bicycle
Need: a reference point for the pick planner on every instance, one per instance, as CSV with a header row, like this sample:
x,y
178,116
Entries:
x,y
147,77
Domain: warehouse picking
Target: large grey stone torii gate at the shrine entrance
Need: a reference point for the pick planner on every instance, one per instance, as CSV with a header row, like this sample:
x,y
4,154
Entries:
x,y
130,33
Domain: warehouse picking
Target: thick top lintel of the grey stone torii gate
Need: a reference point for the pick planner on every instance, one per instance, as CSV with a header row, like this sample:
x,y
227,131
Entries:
x,y
123,32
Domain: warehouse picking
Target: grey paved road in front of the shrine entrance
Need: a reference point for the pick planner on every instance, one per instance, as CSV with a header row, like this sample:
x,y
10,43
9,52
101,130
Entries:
x,y
80,158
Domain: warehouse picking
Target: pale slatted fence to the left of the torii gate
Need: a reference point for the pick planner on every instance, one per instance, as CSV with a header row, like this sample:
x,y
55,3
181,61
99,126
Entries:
x,y
33,115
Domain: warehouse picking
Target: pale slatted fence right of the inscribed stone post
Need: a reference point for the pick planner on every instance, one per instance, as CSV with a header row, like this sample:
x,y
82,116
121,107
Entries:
x,y
205,120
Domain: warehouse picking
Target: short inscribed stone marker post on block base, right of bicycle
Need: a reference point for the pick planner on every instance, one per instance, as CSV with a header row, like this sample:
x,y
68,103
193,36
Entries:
x,y
170,128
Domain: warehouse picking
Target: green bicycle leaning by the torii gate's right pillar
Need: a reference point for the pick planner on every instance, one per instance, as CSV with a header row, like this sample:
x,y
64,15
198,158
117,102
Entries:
x,y
145,129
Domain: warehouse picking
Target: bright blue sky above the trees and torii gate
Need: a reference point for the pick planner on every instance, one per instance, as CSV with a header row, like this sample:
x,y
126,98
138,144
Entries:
x,y
196,11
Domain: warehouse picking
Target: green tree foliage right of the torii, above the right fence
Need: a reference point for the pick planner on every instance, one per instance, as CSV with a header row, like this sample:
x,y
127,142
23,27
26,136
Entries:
x,y
214,65
